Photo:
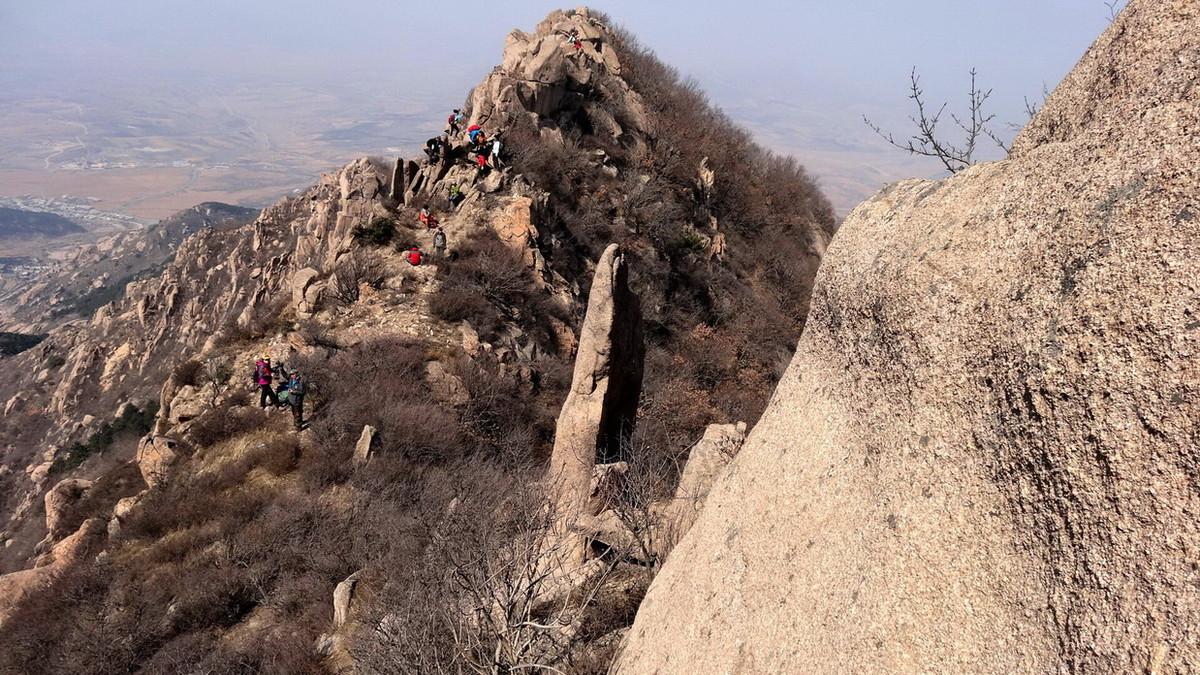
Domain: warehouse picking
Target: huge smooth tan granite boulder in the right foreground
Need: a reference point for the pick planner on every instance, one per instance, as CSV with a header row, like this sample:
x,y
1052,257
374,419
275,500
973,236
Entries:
x,y
985,455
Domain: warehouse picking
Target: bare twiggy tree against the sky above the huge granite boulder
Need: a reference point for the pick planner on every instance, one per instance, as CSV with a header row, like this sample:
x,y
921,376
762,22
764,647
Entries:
x,y
927,141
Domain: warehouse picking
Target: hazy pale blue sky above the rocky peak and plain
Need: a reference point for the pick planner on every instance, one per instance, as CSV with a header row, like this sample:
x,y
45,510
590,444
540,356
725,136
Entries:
x,y
819,64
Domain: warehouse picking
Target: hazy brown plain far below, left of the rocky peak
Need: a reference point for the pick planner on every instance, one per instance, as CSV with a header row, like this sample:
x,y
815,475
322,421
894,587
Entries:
x,y
149,150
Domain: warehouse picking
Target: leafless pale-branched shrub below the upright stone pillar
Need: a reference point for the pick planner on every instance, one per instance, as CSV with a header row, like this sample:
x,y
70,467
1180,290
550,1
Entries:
x,y
500,593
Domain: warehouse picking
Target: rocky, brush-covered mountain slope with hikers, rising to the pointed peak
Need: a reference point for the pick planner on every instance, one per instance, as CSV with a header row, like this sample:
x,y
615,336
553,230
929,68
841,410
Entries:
x,y
434,390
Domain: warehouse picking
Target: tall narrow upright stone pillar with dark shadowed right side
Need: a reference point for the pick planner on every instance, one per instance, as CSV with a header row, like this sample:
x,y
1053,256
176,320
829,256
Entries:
x,y
602,405
